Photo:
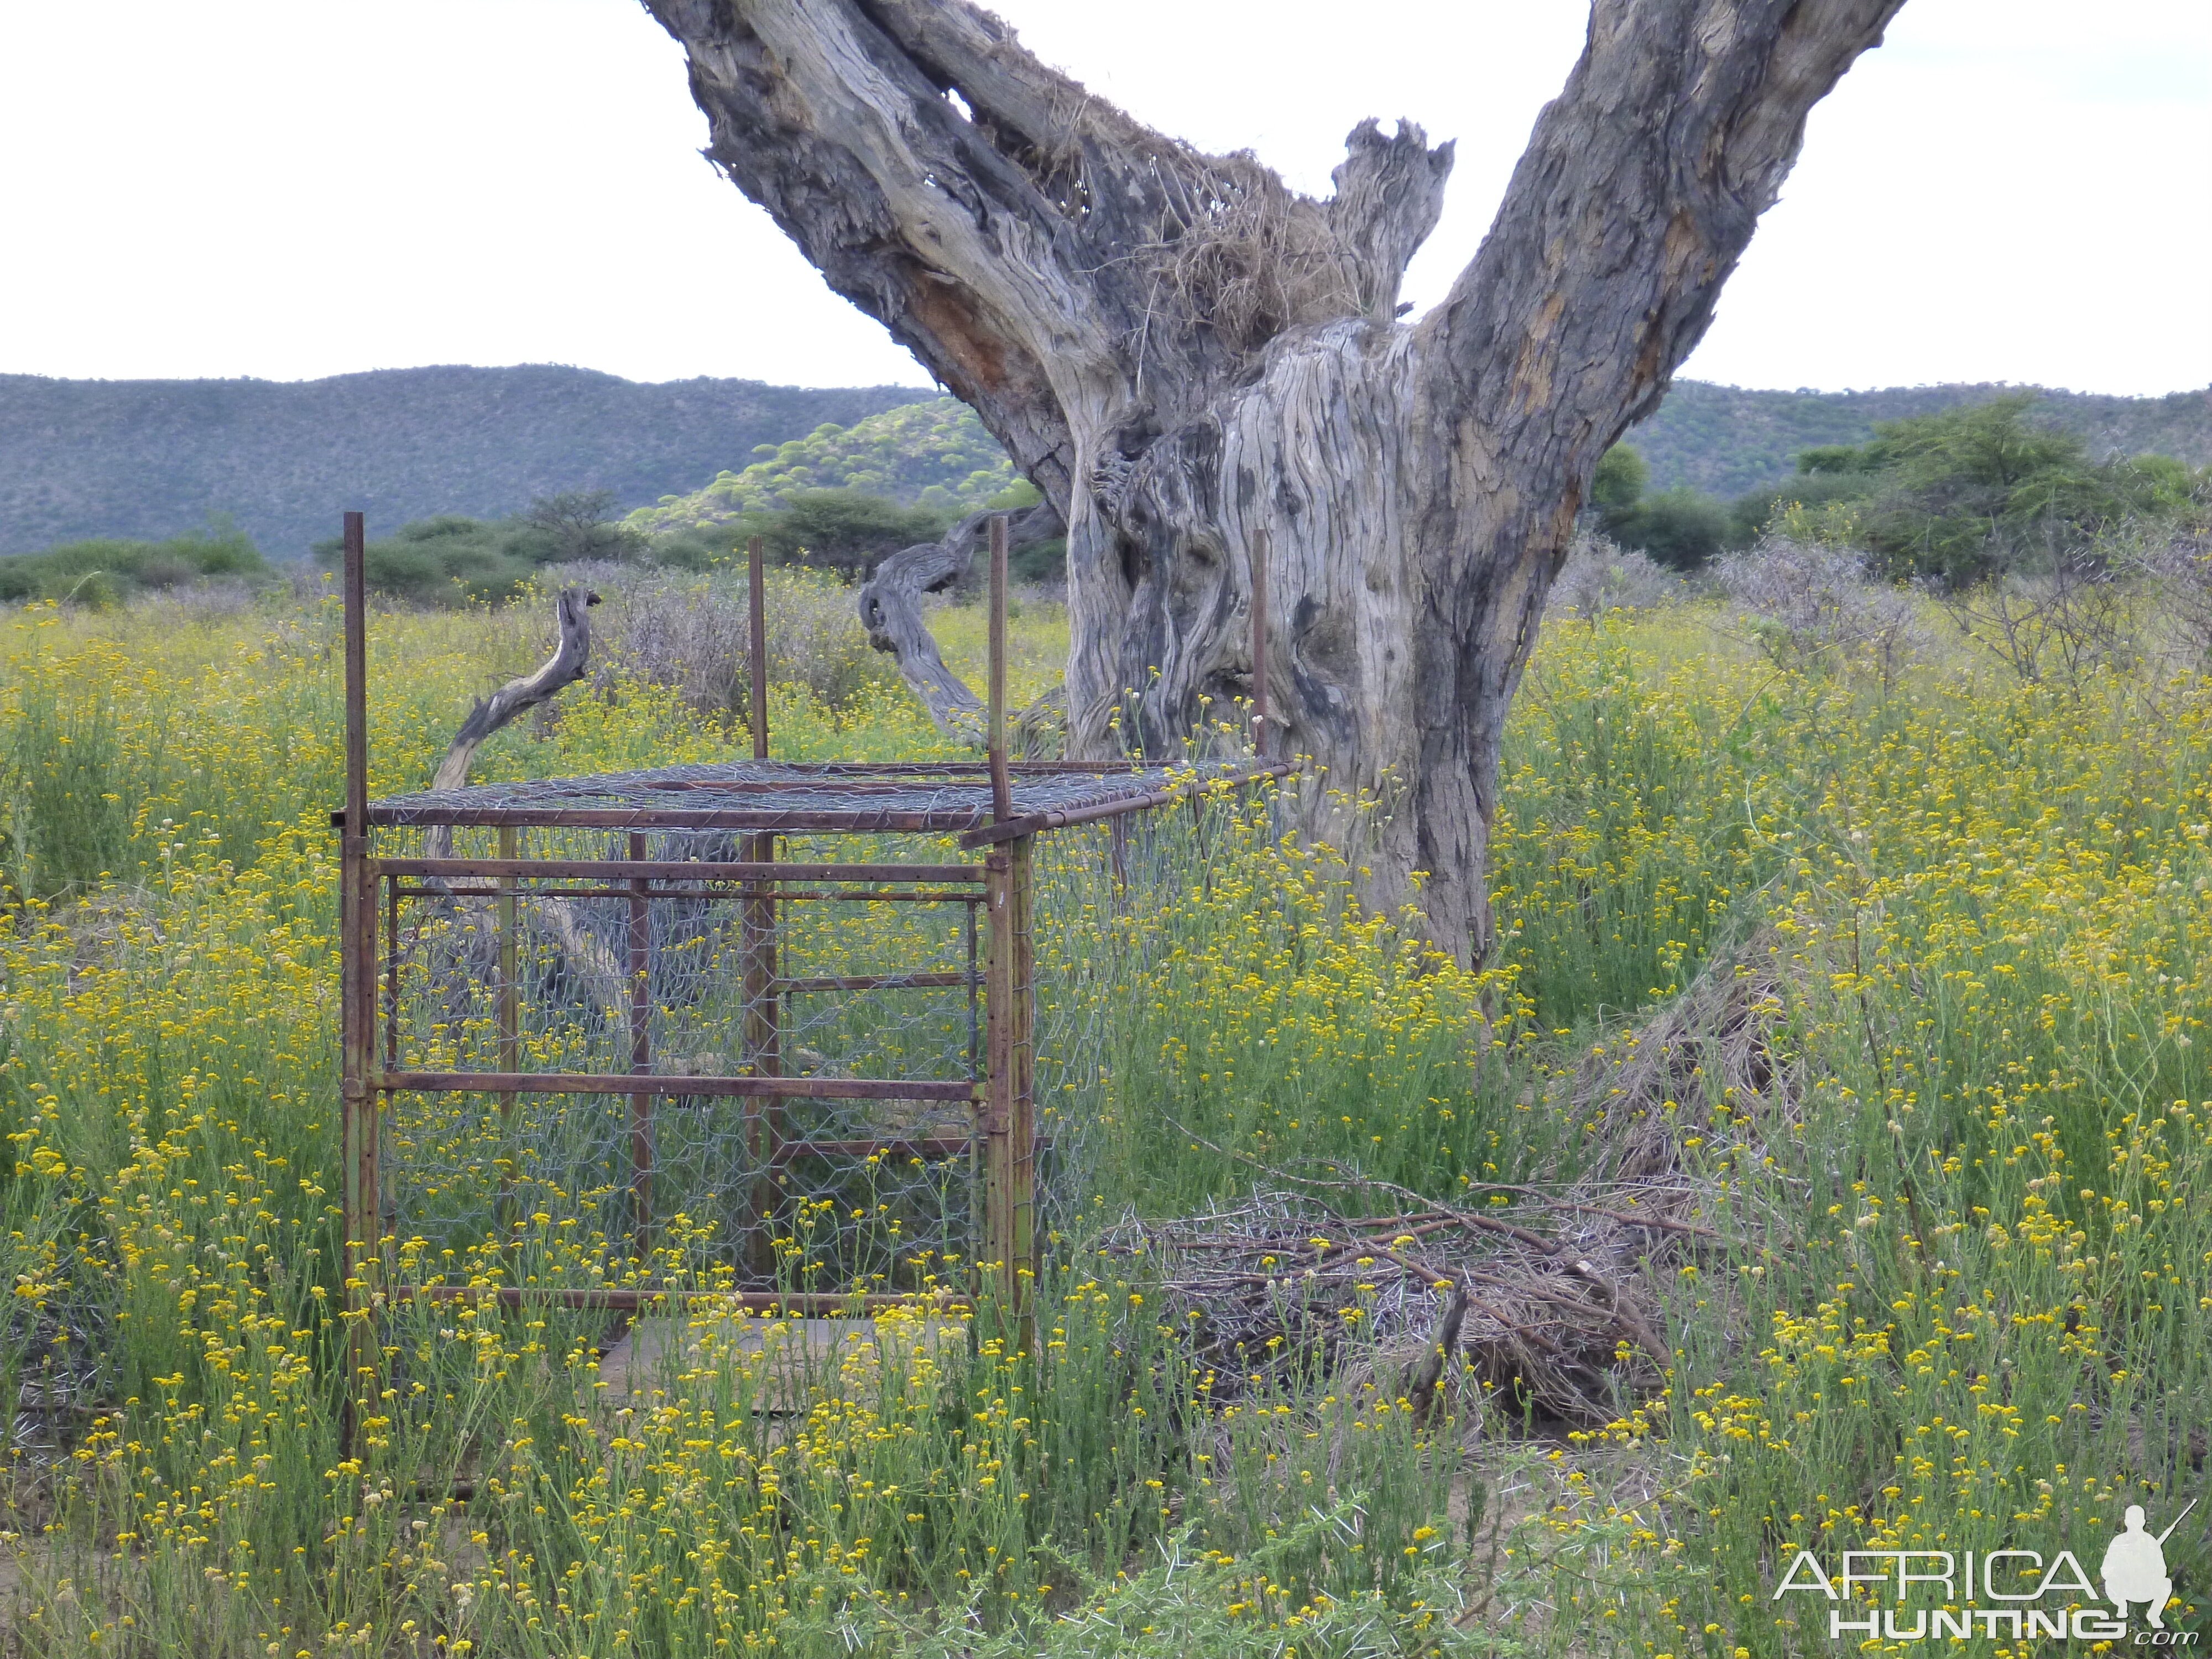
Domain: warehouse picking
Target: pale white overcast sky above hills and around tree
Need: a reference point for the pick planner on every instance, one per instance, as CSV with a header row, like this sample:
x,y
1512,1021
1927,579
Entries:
x,y
289,189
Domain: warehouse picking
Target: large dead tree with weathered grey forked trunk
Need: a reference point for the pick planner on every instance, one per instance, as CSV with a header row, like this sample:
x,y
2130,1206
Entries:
x,y
1182,353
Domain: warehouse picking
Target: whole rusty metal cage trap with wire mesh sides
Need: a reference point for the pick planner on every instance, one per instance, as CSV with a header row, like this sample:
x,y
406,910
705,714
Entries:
x,y
786,1010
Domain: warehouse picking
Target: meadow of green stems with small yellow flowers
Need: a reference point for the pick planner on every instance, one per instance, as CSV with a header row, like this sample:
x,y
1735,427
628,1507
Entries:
x,y
1950,1282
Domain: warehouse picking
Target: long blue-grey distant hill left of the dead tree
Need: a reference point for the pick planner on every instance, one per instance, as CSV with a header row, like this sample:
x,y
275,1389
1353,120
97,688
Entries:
x,y
149,459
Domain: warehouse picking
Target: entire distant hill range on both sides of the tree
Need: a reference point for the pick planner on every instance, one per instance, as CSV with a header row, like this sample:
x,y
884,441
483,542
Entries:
x,y
149,459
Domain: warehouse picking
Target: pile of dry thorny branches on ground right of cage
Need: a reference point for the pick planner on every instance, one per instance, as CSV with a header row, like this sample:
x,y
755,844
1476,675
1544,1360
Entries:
x,y
1556,1297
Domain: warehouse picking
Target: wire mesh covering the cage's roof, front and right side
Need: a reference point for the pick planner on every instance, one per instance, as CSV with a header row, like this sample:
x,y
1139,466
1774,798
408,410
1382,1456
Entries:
x,y
864,997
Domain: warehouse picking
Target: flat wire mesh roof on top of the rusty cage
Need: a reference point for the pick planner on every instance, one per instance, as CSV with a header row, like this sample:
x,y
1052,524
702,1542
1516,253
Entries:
x,y
802,795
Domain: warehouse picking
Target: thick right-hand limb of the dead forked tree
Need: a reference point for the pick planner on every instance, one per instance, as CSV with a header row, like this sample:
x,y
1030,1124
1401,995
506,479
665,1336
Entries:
x,y
1638,194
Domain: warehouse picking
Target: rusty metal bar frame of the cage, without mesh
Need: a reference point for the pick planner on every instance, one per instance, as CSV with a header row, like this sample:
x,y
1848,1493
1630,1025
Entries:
x,y
1001,970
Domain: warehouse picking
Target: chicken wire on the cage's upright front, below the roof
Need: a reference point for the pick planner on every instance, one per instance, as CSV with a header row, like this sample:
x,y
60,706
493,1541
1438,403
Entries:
x,y
848,990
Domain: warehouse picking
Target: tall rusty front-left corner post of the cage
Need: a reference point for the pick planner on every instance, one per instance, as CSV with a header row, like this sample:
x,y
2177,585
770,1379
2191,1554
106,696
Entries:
x,y
357,994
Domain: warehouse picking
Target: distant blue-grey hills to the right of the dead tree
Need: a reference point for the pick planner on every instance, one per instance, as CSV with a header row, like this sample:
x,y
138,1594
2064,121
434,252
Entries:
x,y
1731,441
